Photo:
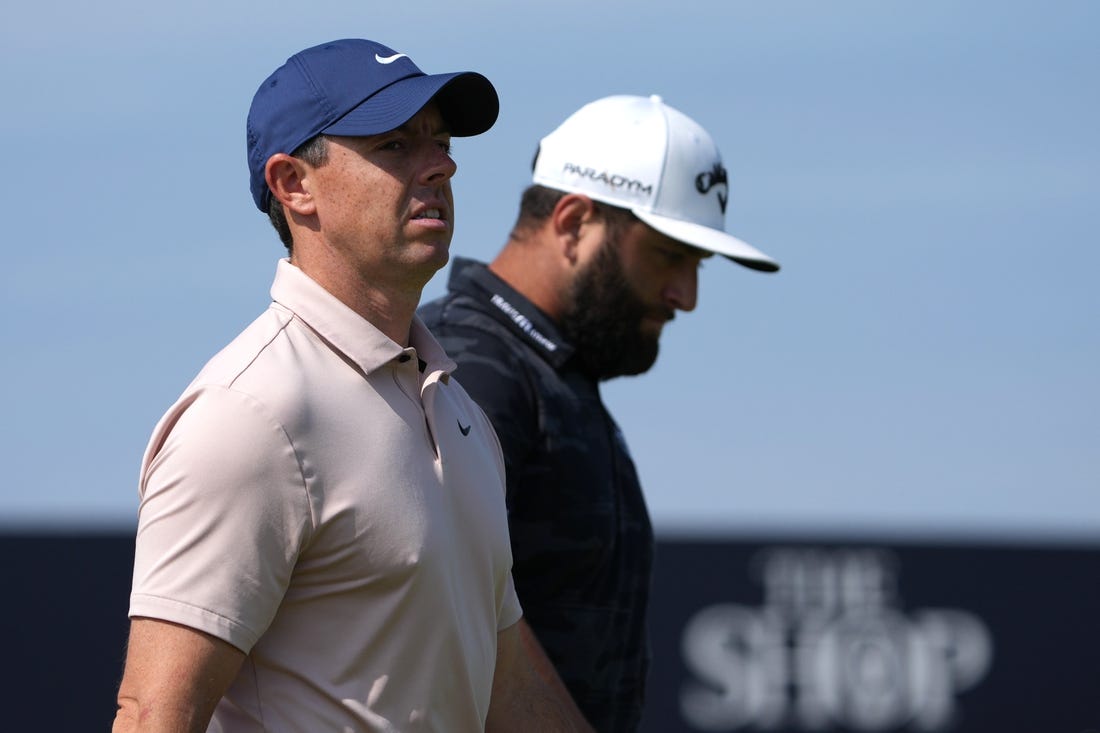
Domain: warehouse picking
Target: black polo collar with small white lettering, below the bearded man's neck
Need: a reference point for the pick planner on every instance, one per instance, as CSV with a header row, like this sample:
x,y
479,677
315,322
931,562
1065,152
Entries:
x,y
507,305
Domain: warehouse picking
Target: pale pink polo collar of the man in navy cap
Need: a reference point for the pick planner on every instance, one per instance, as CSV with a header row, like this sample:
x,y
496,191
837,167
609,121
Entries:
x,y
349,333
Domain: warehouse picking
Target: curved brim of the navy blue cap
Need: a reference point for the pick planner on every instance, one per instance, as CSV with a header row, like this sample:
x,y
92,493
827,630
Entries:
x,y
467,101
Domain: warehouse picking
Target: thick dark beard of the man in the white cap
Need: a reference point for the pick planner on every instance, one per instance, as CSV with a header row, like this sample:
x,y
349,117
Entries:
x,y
603,321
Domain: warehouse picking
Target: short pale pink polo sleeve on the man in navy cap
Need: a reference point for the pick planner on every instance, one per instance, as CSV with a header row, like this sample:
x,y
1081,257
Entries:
x,y
224,516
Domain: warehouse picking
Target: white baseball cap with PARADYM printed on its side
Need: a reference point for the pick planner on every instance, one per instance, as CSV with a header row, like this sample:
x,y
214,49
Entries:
x,y
641,155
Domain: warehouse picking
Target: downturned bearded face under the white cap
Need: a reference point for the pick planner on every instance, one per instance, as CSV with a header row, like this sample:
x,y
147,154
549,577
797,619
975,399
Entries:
x,y
623,298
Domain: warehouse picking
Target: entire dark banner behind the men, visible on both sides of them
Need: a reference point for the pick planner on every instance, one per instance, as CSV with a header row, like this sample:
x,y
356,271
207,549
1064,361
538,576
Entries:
x,y
749,637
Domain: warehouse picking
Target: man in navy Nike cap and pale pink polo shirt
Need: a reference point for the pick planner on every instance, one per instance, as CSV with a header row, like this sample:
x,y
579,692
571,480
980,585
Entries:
x,y
323,541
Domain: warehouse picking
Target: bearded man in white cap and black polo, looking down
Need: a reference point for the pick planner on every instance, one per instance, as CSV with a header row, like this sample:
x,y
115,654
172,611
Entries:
x,y
629,199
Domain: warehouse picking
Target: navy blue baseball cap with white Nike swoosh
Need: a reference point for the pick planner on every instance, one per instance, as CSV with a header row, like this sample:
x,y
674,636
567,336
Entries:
x,y
356,87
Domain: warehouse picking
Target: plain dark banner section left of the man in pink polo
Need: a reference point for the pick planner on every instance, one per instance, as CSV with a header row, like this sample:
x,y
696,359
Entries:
x,y
64,621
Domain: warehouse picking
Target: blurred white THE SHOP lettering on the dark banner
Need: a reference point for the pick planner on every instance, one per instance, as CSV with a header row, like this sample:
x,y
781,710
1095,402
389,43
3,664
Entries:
x,y
830,648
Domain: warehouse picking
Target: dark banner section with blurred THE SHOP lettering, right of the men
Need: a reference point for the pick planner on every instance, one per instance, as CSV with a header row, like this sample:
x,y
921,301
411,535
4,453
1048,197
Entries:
x,y
875,638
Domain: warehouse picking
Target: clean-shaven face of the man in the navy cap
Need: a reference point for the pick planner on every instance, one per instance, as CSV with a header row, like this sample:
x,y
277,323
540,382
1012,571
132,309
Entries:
x,y
384,203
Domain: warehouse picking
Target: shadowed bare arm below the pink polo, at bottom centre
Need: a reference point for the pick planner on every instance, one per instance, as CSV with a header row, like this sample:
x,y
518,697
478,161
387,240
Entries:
x,y
527,694
